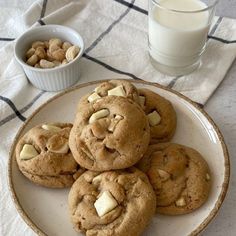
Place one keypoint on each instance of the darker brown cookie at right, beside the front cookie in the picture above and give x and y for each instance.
(179, 175)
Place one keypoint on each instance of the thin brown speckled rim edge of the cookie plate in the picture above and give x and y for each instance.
(196, 231)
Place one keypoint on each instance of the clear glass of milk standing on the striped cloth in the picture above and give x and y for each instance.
(178, 33)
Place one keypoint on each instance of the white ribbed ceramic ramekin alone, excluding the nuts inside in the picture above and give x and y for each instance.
(57, 78)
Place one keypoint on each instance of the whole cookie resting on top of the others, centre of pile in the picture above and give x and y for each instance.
(112, 133)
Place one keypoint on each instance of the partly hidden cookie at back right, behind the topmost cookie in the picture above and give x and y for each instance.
(161, 115)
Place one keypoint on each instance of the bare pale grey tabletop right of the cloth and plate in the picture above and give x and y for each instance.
(222, 108)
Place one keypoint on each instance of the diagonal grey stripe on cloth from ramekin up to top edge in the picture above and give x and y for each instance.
(100, 37)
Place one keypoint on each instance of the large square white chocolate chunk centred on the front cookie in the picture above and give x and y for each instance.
(105, 203)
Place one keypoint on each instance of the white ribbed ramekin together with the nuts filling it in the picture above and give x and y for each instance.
(50, 56)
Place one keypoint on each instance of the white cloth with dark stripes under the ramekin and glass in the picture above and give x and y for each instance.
(115, 35)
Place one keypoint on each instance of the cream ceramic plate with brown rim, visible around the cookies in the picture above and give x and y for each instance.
(45, 210)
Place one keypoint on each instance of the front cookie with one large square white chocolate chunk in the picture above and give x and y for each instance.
(118, 203)
